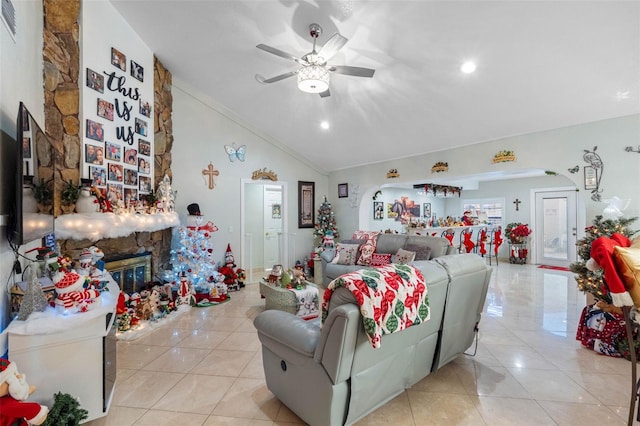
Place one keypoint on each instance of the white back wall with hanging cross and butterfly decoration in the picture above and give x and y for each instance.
(201, 130)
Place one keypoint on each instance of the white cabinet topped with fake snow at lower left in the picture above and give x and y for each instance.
(74, 354)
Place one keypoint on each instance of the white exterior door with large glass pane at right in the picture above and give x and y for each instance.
(556, 227)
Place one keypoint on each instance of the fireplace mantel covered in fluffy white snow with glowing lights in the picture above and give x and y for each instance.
(96, 226)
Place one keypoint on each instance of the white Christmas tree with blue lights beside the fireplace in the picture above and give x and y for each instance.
(194, 257)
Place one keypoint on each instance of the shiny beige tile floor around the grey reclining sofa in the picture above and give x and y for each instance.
(204, 367)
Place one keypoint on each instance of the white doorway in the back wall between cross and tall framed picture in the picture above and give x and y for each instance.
(262, 222)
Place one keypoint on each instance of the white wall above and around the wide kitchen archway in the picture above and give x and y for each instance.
(555, 150)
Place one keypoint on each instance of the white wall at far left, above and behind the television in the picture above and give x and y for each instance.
(20, 80)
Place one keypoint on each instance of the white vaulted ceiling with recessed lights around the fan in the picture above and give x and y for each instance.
(540, 65)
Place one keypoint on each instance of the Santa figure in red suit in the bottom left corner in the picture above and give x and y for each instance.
(14, 390)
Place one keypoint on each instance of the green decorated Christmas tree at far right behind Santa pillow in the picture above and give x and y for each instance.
(590, 281)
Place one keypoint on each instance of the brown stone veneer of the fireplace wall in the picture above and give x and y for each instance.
(61, 55)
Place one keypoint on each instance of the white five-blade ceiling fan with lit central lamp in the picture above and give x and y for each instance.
(313, 75)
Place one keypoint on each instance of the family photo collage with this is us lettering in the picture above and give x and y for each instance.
(117, 151)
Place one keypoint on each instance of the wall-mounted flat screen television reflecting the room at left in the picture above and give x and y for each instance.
(33, 165)
